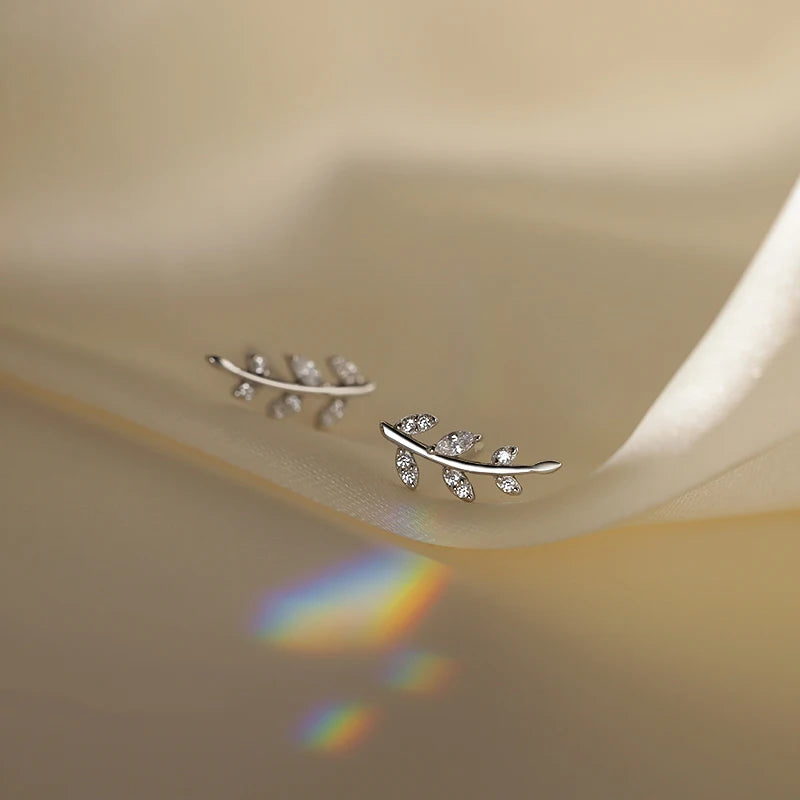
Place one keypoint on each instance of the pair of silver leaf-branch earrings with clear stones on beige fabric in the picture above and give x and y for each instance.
(307, 379)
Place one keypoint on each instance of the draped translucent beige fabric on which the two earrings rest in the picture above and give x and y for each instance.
(523, 220)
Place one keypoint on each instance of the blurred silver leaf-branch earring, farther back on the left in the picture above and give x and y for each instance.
(308, 380)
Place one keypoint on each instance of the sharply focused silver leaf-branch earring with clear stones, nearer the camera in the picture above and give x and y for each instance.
(447, 451)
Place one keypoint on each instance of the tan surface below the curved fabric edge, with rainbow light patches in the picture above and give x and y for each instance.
(658, 661)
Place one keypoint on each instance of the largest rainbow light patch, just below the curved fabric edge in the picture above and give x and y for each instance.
(363, 605)
